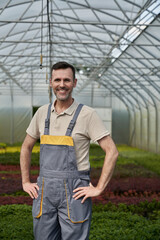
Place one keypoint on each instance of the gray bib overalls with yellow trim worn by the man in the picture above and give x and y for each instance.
(56, 214)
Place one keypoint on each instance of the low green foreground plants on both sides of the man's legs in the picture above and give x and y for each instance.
(109, 222)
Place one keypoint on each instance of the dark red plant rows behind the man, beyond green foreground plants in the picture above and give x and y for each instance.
(129, 190)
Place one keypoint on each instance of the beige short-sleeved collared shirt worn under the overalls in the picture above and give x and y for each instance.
(88, 127)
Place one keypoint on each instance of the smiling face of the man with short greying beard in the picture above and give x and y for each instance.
(63, 83)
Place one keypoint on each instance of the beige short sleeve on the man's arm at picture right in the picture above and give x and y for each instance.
(96, 127)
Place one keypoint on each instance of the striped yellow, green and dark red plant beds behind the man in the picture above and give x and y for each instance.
(135, 179)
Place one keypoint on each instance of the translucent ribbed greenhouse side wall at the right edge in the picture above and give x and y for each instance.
(145, 128)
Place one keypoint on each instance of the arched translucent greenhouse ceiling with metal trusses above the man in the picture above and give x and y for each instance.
(115, 44)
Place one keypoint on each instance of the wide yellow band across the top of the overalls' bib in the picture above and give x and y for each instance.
(57, 140)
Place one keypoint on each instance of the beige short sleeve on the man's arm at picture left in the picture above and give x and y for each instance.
(33, 128)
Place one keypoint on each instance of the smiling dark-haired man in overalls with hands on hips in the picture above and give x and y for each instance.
(62, 194)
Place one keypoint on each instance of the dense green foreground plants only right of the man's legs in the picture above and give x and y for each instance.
(123, 226)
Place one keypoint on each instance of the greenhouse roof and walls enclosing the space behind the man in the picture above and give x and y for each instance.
(115, 48)
